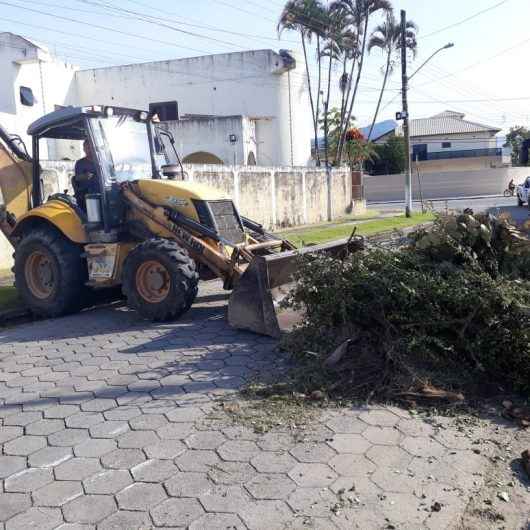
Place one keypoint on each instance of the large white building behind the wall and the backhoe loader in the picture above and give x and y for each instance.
(245, 106)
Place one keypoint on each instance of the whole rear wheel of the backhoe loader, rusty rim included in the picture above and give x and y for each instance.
(50, 273)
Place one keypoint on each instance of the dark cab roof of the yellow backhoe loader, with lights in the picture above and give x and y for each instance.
(68, 122)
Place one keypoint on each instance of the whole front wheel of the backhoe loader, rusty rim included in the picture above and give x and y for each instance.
(160, 280)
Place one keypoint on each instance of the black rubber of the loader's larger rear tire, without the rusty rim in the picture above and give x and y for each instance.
(73, 273)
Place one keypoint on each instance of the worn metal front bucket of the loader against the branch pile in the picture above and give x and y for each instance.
(254, 302)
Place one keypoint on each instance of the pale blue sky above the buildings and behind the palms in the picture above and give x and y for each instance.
(485, 75)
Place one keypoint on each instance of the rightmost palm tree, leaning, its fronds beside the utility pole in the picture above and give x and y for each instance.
(387, 38)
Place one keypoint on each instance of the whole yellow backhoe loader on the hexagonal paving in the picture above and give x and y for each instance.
(141, 226)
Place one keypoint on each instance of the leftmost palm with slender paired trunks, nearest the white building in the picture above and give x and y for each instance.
(307, 17)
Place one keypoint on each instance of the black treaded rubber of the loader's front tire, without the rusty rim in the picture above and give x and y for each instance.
(184, 281)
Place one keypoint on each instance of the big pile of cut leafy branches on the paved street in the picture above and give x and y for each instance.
(447, 314)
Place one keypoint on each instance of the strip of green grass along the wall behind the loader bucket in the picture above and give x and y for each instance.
(322, 234)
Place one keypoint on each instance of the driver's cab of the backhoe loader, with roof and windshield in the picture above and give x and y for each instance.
(124, 146)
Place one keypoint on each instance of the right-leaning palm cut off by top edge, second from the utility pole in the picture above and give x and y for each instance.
(360, 12)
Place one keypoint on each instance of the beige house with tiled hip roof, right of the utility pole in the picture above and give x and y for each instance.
(448, 142)
